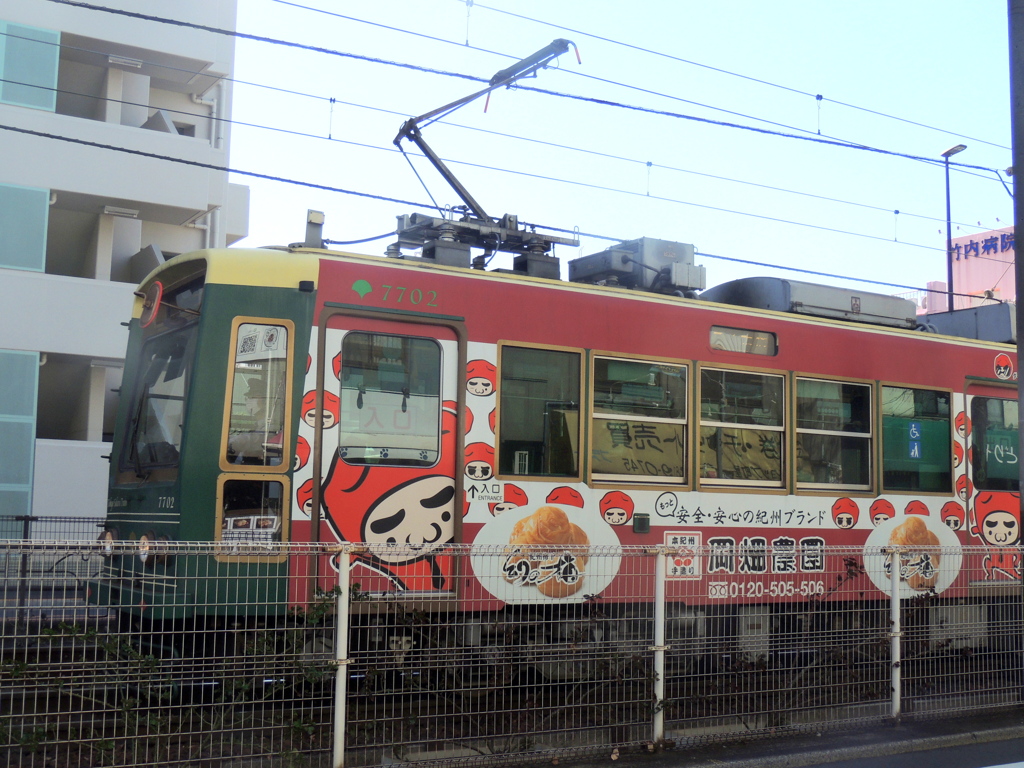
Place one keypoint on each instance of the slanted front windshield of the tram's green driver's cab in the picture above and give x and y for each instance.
(158, 411)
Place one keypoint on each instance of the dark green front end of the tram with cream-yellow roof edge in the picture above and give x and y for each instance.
(205, 429)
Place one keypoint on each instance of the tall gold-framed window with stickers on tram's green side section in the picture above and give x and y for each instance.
(260, 386)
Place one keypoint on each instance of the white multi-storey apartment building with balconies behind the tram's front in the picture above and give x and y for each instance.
(81, 225)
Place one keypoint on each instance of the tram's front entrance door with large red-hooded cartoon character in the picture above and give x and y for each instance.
(392, 480)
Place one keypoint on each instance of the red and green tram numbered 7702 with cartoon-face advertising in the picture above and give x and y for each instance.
(408, 404)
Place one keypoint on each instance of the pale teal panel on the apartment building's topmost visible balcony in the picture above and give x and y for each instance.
(29, 60)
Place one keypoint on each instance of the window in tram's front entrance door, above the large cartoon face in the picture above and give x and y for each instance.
(391, 401)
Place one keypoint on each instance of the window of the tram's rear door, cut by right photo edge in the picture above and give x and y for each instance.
(995, 461)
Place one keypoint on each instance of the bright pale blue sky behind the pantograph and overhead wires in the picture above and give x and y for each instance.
(910, 78)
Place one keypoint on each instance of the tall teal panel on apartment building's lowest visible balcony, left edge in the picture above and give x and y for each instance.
(19, 386)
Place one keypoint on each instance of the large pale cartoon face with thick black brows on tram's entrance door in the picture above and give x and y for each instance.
(412, 521)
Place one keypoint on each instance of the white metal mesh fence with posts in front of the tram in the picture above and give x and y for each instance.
(196, 655)
